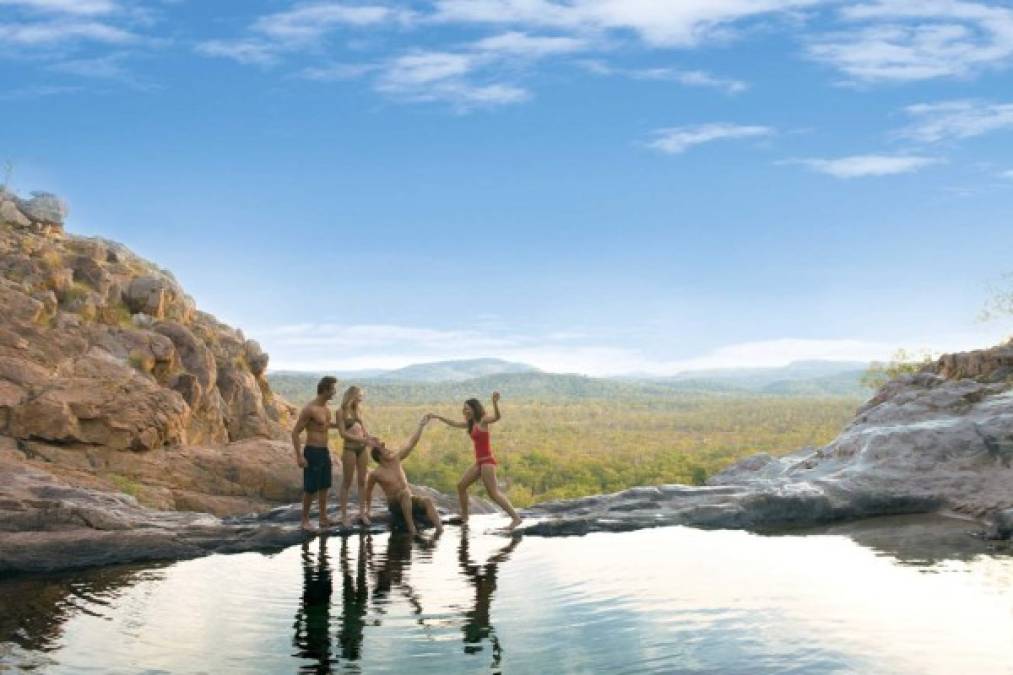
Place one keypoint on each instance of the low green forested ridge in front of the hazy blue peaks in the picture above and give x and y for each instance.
(299, 388)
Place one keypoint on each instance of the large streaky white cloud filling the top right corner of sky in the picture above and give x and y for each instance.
(918, 40)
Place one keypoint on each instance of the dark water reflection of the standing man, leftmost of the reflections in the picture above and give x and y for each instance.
(314, 618)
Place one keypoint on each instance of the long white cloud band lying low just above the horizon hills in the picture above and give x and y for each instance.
(316, 347)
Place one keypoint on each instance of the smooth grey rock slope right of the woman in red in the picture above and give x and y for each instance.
(939, 440)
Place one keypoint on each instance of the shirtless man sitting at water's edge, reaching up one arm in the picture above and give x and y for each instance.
(405, 507)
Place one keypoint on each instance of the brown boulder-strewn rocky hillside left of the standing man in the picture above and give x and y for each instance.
(112, 379)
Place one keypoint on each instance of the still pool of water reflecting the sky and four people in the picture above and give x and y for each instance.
(898, 595)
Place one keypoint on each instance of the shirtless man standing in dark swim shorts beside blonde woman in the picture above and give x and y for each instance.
(316, 458)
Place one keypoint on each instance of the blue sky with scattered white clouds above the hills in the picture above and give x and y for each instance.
(602, 187)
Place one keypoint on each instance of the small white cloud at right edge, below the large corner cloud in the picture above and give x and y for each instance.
(957, 120)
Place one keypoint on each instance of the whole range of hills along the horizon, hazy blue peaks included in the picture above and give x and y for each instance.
(454, 381)
